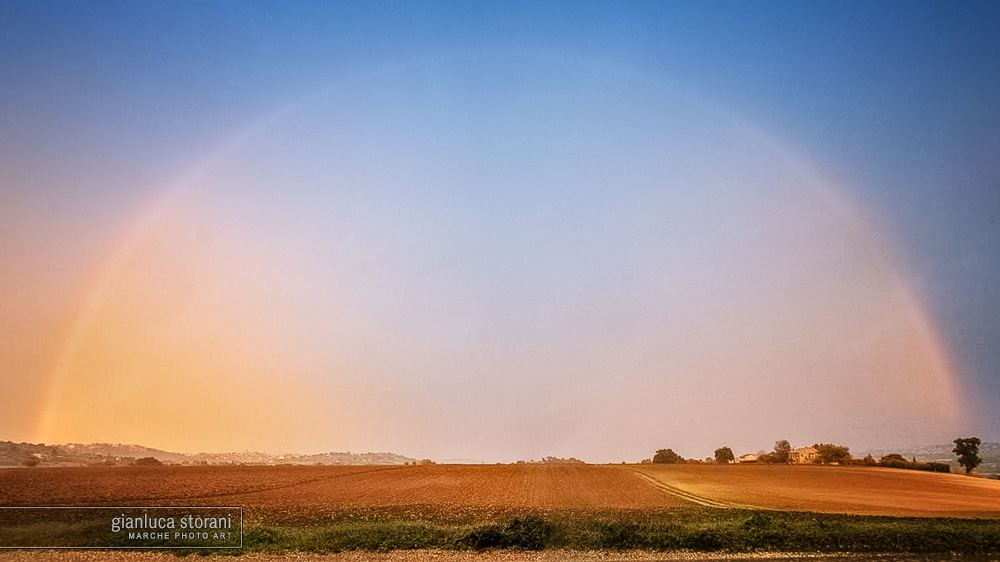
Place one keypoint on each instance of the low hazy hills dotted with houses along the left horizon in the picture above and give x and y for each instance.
(107, 454)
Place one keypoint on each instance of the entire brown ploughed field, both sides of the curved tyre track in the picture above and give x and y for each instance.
(480, 490)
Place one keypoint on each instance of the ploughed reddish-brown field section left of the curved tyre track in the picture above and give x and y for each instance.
(288, 489)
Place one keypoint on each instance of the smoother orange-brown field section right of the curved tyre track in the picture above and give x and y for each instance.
(835, 489)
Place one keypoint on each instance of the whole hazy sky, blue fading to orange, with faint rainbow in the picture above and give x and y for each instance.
(499, 231)
